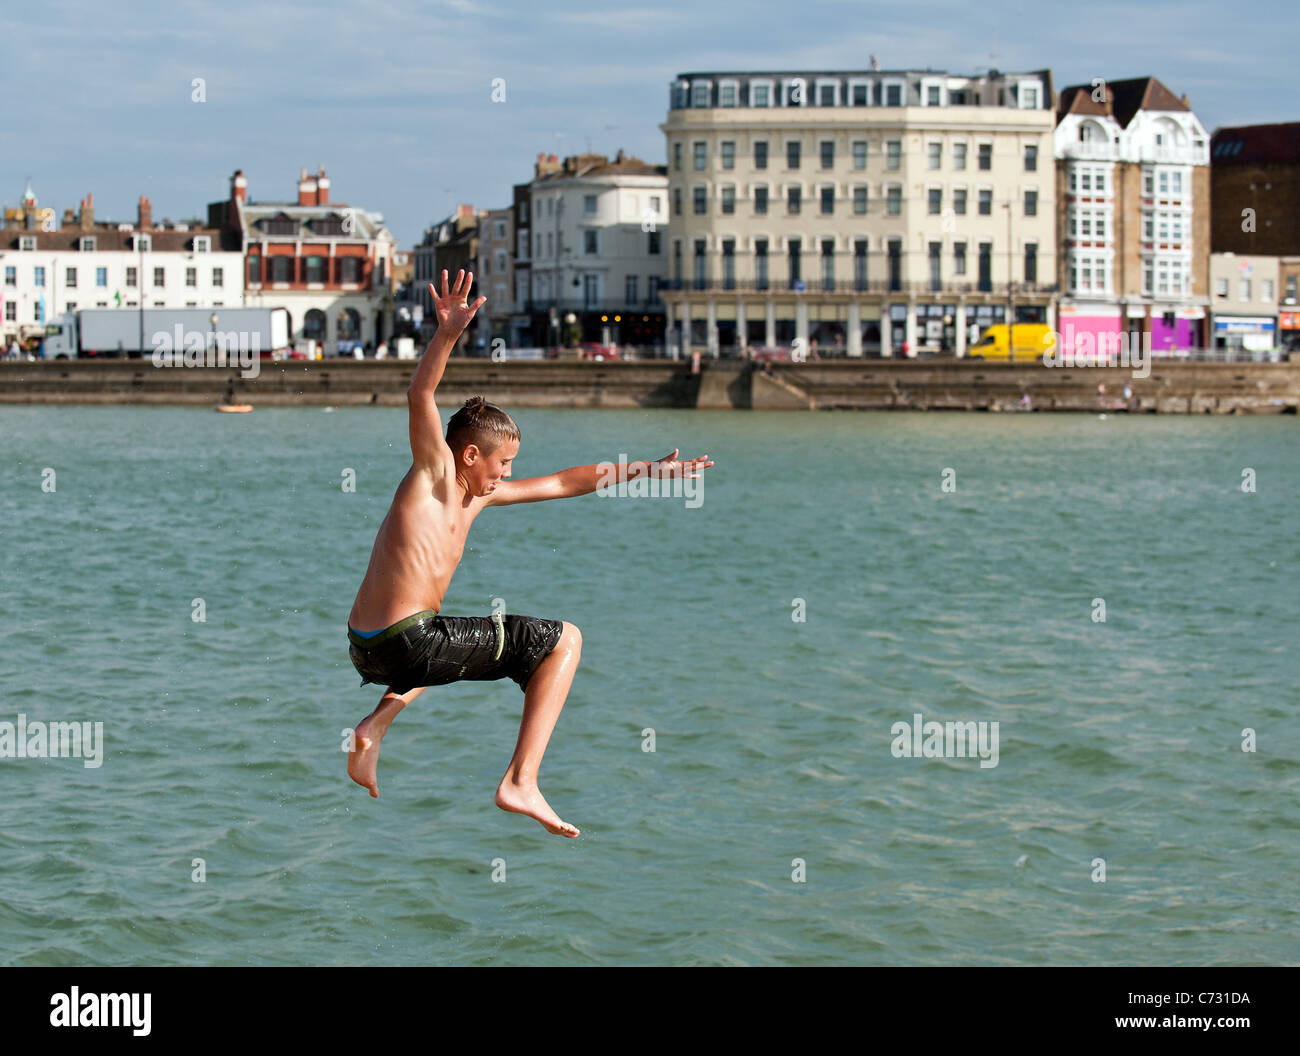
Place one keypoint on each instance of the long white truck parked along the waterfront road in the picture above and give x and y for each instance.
(118, 332)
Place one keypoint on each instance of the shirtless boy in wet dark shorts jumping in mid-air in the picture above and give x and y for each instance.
(398, 638)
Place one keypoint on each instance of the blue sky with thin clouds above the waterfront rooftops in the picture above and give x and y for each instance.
(396, 98)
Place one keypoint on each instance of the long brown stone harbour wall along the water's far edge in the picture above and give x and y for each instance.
(866, 384)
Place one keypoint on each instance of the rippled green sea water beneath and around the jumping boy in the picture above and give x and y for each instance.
(769, 639)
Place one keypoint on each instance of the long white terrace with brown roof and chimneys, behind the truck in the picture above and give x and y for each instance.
(47, 271)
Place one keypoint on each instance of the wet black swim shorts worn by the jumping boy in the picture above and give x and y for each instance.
(430, 650)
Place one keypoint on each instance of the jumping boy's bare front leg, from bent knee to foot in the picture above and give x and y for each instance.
(544, 698)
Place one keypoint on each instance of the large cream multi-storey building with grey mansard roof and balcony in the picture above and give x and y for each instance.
(859, 211)
